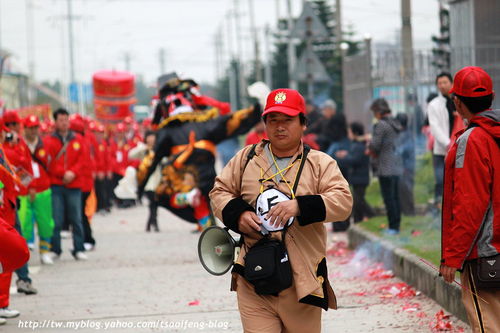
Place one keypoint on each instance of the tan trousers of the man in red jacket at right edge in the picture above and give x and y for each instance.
(483, 312)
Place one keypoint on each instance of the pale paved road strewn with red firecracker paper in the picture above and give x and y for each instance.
(138, 278)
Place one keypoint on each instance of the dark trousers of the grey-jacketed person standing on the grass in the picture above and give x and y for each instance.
(390, 193)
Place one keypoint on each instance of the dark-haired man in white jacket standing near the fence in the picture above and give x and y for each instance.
(440, 114)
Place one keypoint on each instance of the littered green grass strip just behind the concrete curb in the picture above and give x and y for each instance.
(420, 235)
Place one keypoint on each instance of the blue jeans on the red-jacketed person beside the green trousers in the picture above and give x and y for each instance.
(67, 202)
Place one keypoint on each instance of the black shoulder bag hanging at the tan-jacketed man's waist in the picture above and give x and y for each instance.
(267, 266)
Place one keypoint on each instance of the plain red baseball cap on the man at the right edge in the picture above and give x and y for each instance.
(472, 81)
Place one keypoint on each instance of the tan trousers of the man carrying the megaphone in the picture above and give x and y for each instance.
(273, 314)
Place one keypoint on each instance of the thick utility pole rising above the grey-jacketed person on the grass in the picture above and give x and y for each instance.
(407, 45)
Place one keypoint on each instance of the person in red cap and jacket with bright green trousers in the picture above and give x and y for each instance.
(37, 204)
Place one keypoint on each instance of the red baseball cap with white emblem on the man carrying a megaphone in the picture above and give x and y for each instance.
(287, 101)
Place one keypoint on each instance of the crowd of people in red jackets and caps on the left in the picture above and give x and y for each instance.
(55, 175)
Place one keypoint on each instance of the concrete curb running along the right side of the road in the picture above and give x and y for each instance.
(409, 268)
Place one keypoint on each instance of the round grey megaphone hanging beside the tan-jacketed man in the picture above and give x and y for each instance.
(217, 250)
